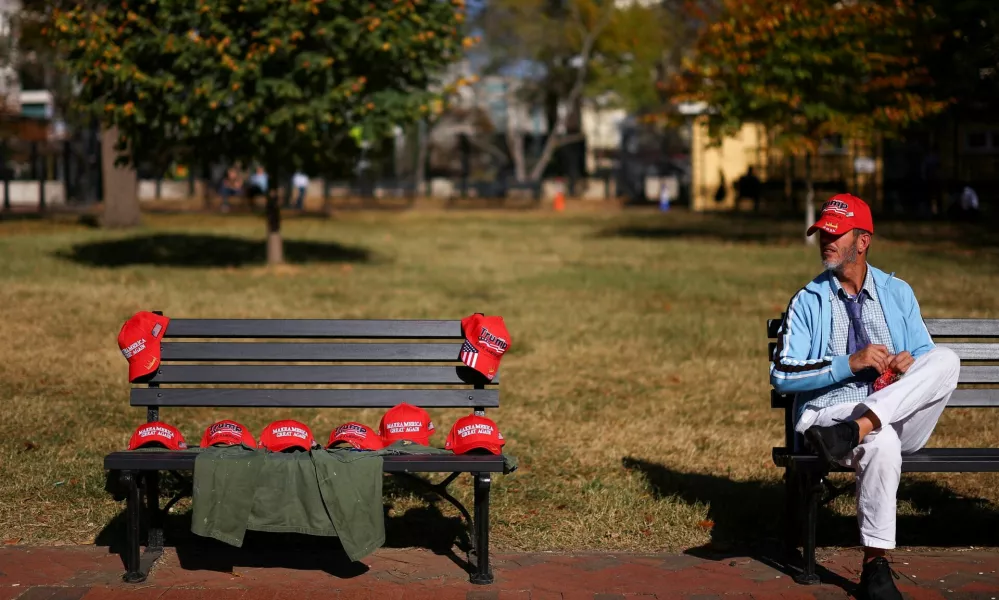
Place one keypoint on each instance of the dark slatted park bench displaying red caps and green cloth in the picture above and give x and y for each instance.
(380, 349)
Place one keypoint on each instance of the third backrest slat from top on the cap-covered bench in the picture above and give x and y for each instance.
(292, 374)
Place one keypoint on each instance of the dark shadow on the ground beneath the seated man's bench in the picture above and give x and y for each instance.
(747, 517)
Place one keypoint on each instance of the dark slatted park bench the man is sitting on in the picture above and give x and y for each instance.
(806, 476)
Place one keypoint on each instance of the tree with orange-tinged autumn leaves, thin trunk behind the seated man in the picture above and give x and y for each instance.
(808, 69)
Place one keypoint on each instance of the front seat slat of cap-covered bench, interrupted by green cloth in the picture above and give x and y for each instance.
(444, 463)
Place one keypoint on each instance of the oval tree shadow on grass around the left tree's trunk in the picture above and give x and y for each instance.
(203, 250)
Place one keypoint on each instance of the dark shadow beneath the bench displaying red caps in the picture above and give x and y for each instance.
(420, 527)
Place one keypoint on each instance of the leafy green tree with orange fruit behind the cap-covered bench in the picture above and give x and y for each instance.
(279, 83)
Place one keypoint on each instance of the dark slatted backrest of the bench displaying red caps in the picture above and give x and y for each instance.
(313, 363)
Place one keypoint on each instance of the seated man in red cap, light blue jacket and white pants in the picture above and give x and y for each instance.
(847, 333)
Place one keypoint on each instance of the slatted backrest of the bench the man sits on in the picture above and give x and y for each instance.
(976, 341)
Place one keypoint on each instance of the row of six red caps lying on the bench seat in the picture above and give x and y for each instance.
(401, 422)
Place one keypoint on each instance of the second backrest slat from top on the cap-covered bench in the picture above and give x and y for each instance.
(305, 352)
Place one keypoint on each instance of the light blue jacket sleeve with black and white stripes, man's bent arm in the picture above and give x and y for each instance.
(792, 370)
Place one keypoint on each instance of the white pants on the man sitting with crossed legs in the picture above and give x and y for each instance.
(912, 406)
